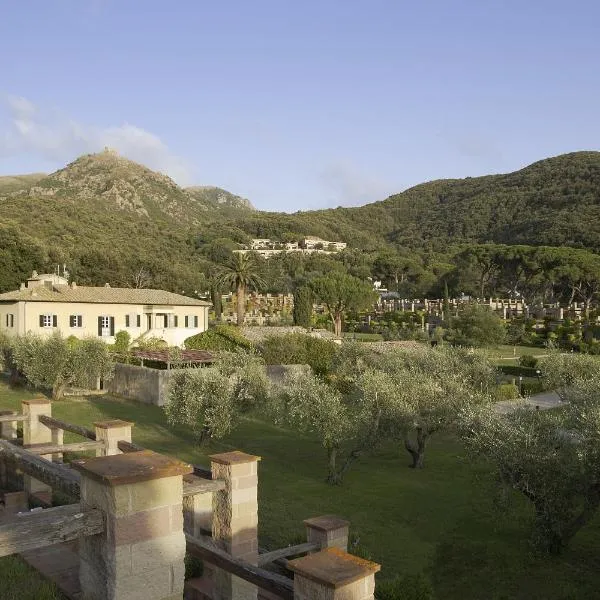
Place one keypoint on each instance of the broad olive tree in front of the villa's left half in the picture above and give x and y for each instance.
(57, 363)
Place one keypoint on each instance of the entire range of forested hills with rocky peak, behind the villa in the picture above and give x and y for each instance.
(112, 220)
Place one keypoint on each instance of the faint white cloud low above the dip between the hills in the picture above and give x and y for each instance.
(349, 186)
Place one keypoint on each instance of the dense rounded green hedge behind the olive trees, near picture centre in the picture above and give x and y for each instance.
(299, 349)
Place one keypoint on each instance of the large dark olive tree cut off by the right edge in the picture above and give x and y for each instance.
(552, 458)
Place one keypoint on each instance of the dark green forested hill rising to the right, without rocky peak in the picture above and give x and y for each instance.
(554, 202)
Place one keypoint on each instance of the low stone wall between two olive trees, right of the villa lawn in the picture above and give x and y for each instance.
(140, 383)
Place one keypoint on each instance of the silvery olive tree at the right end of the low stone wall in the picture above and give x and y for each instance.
(211, 400)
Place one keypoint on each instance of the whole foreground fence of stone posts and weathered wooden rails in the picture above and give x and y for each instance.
(136, 514)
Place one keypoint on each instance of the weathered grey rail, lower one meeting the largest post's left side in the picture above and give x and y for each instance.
(47, 527)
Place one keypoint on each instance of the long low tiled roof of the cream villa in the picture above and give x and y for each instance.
(100, 295)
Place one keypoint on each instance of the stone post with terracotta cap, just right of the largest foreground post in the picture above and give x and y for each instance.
(235, 519)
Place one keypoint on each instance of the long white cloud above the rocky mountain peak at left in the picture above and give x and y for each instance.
(54, 137)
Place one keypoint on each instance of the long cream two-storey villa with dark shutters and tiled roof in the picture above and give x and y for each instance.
(48, 303)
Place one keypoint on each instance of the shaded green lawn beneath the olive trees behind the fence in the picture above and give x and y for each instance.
(443, 521)
